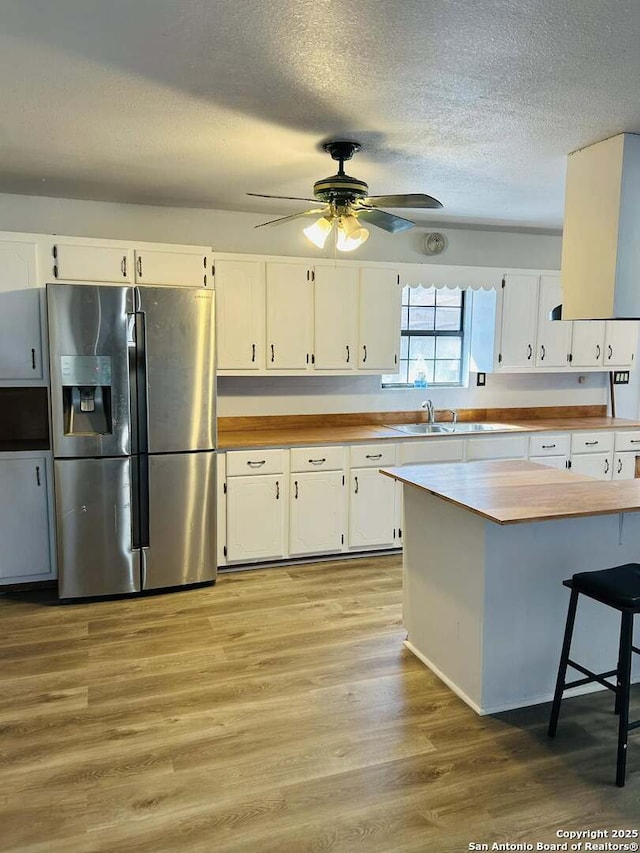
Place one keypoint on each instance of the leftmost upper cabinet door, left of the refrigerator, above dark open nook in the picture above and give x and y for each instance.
(20, 300)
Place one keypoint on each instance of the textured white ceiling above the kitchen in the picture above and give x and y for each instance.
(196, 102)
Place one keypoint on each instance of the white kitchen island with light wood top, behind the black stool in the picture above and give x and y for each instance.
(486, 548)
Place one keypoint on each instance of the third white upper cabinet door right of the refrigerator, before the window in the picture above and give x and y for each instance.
(335, 318)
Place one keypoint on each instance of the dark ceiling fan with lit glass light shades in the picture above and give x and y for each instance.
(347, 203)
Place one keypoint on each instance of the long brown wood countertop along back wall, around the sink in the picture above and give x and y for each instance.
(300, 430)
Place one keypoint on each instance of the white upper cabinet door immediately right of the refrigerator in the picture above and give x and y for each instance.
(240, 314)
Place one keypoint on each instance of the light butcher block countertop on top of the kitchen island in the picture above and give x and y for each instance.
(513, 492)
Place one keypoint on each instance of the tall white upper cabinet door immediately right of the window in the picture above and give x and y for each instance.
(518, 321)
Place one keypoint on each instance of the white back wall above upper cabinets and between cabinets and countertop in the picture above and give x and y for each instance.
(234, 232)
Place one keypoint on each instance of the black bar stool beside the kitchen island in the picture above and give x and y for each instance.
(618, 588)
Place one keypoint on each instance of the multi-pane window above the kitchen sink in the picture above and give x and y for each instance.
(432, 337)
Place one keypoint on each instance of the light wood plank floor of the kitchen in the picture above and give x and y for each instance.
(276, 711)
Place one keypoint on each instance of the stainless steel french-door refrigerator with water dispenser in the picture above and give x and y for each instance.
(133, 430)
